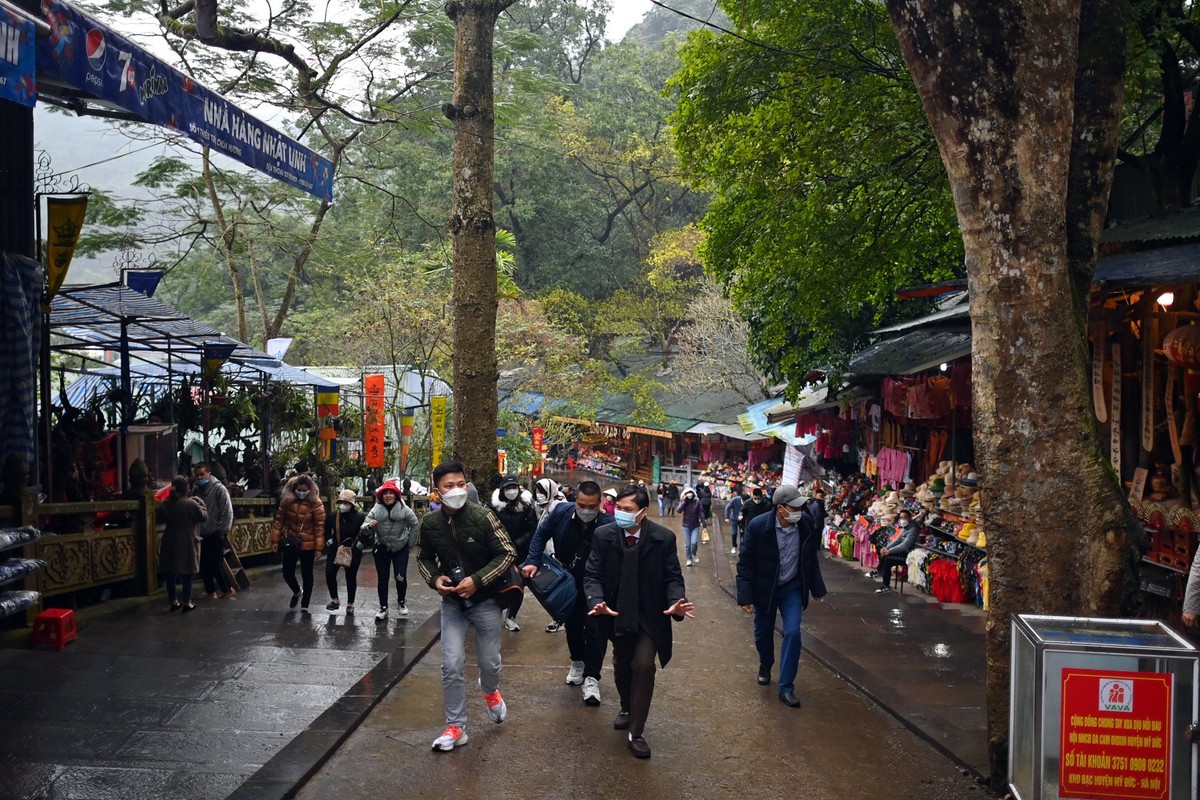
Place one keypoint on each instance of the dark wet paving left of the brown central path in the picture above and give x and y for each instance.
(155, 705)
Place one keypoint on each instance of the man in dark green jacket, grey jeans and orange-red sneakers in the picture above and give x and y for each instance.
(464, 551)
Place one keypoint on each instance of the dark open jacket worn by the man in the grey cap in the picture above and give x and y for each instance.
(759, 563)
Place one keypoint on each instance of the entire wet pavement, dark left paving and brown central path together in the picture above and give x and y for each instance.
(249, 700)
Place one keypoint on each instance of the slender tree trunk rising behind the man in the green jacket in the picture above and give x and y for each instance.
(475, 300)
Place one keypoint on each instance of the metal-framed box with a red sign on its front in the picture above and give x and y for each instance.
(1102, 708)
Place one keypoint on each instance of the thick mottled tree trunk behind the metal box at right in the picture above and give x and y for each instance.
(1024, 100)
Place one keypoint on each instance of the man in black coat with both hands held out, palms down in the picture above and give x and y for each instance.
(635, 586)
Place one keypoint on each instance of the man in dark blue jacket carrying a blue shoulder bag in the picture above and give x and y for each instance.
(571, 526)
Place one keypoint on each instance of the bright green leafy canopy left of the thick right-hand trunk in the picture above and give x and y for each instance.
(830, 193)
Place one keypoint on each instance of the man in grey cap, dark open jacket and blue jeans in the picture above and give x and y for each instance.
(779, 570)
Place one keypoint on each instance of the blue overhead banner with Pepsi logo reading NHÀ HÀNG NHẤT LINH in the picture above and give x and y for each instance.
(86, 55)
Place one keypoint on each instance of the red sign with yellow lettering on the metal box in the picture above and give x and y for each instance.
(1117, 735)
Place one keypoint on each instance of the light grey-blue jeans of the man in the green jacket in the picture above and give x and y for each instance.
(487, 619)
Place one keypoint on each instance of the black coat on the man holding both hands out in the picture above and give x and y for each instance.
(661, 580)
